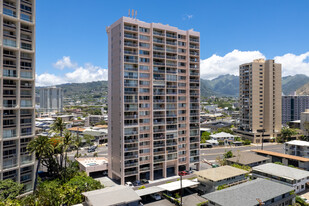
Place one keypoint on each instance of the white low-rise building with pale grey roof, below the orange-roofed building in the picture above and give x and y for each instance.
(290, 176)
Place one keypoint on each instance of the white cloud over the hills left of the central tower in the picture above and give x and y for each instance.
(80, 74)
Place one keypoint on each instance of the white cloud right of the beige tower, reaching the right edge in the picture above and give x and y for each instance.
(294, 64)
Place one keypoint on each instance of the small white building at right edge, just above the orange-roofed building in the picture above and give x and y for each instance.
(297, 147)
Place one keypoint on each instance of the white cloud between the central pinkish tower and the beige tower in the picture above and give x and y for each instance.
(215, 65)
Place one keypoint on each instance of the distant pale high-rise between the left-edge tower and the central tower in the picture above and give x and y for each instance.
(51, 99)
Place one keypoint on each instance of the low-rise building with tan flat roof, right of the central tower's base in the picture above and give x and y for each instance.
(210, 179)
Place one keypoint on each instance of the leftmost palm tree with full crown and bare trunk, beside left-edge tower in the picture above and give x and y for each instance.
(42, 147)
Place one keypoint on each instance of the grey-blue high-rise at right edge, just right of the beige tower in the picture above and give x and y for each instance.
(293, 106)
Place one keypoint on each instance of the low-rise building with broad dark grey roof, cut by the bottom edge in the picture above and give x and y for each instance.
(253, 193)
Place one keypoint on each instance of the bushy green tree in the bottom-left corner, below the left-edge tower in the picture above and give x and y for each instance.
(9, 190)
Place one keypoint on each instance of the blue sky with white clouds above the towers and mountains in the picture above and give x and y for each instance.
(72, 32)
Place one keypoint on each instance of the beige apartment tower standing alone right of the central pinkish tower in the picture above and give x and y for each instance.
(260, 100)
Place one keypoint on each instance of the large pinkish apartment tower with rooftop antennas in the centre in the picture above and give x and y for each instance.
(154, 89)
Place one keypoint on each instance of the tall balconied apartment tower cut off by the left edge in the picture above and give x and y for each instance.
(17, 73)
